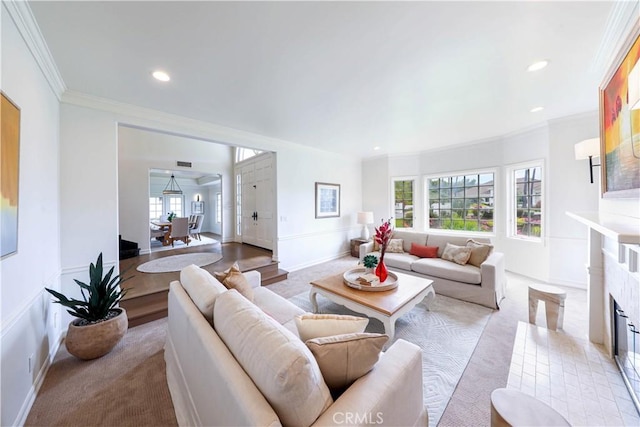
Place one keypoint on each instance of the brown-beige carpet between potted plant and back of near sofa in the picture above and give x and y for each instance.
(127, 387)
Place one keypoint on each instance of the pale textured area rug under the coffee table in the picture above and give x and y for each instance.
(447, 334)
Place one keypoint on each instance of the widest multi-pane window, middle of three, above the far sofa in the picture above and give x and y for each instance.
(461, 202)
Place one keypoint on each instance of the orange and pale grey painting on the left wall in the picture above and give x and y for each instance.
(9, 174)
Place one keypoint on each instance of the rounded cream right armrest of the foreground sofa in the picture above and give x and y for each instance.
(391, 394)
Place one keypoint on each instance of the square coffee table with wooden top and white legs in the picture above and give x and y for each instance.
(386, 306)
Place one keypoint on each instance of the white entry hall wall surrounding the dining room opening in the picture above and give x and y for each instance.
(141, 150)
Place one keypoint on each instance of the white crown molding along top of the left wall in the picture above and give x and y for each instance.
(25, 22)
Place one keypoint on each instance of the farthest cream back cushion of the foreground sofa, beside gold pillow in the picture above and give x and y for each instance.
(202, 288)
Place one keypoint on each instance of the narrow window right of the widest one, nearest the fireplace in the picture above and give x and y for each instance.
(526, 201)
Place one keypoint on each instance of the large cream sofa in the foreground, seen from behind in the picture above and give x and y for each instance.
(229, 363)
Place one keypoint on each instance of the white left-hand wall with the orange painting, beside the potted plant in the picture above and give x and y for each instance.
(27, 320)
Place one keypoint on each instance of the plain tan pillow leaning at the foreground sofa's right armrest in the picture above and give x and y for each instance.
(345, 358)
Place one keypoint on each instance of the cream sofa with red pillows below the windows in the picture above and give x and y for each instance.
(482, 285)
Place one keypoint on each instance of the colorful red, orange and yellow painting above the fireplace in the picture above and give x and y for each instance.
(620, 123)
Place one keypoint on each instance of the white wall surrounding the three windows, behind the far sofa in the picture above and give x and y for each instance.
(561, 255)
